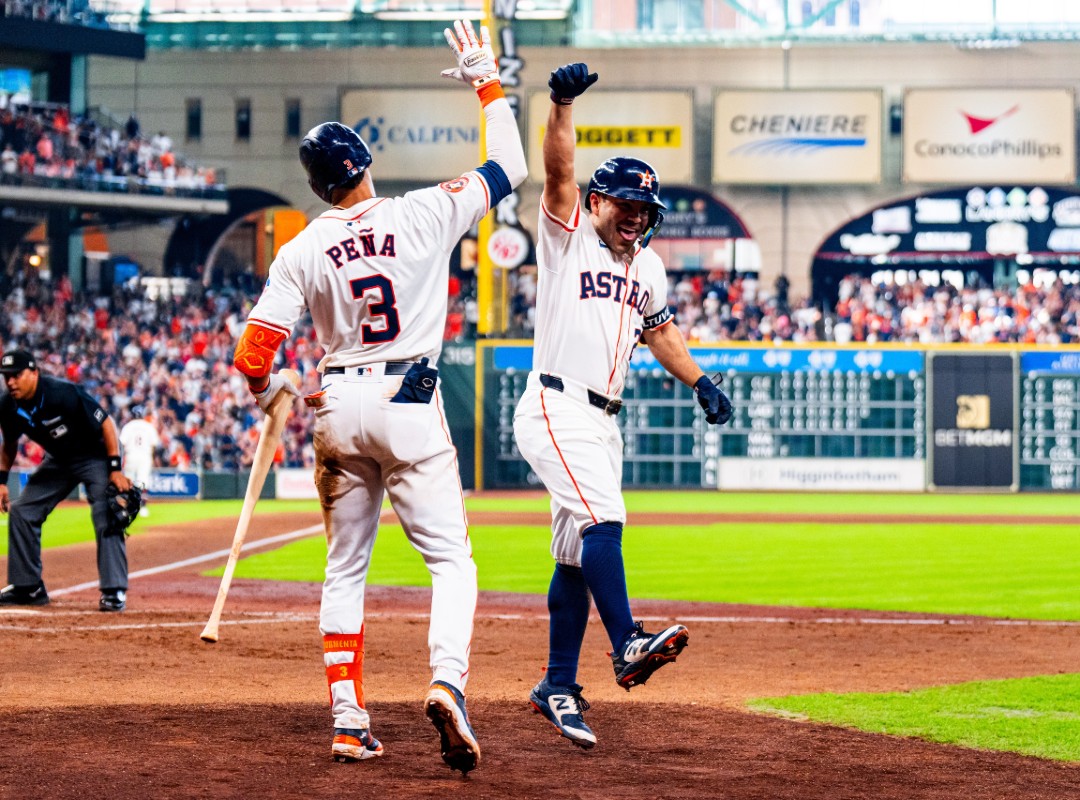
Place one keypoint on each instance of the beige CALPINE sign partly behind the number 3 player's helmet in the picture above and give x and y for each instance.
(434, 137)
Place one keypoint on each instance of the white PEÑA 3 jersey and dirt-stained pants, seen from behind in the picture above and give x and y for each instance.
(375, 280)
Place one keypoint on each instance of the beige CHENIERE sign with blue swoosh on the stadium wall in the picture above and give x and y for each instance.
(798, 138)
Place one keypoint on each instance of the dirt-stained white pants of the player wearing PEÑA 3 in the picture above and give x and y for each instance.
(367, 445)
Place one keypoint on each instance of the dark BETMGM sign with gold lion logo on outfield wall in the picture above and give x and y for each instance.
(973, 423)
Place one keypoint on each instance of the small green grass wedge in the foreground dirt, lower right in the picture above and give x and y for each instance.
(1038, 716)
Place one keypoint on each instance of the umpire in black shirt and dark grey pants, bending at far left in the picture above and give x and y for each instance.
(83, 448)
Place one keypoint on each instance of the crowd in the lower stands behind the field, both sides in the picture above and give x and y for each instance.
(172, 357)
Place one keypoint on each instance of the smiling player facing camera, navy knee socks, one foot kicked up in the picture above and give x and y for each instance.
(600, 292)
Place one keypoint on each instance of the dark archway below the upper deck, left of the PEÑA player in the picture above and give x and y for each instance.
(222, 250)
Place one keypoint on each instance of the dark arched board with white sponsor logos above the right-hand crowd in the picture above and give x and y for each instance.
(994, 236)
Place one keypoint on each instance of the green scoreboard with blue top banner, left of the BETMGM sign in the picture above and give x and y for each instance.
(790, 403)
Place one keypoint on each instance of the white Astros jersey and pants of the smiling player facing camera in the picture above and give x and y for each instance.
(591, 310)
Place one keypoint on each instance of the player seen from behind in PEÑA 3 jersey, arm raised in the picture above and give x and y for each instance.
(373, 272)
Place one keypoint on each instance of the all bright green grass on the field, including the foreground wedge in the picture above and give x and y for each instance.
(1002, 570)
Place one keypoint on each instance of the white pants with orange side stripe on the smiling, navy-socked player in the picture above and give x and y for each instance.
(577, 452)
